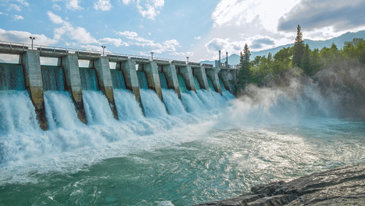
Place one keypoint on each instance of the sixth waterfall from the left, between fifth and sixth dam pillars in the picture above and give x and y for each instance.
(172, 102)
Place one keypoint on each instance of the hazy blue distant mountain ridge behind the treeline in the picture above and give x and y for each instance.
(234, 59)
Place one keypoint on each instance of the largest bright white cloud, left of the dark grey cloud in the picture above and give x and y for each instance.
(236, 22)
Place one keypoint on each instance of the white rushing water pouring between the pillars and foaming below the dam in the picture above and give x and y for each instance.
(68, 144)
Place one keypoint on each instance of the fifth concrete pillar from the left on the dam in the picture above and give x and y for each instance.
(153, 79)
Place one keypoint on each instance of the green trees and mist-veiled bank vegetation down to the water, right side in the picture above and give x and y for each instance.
(339, 73)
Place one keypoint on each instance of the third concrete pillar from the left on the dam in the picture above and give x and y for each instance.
(105, 81)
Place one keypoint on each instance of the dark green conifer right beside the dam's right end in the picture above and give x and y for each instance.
(244, 69)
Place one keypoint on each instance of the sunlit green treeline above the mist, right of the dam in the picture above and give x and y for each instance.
(297, 60)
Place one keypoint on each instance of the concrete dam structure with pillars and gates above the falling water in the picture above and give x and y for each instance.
(130, 72)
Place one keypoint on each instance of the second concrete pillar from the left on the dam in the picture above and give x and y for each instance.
(70, 65)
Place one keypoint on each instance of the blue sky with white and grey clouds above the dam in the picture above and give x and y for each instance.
(175, 29)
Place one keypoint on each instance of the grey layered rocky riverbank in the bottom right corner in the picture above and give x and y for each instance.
(342, 186)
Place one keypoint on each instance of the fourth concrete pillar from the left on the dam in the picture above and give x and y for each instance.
(130, 75)
